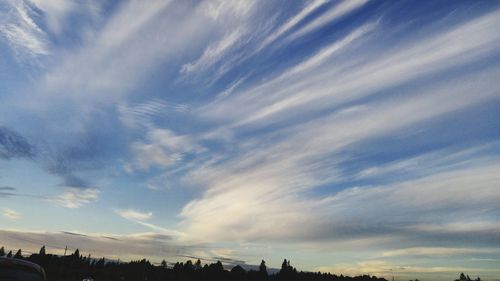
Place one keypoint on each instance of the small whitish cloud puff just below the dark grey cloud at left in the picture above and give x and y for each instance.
(74, 197)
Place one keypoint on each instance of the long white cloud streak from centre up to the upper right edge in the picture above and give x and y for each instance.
(354, 78)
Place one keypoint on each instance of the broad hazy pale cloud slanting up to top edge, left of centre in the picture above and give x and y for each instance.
(116, 57)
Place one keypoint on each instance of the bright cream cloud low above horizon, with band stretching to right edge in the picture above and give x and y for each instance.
(275, 210)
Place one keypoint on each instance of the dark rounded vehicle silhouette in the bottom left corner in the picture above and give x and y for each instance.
(19, 270)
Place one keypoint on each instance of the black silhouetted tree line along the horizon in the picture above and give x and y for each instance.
(77, 267)
